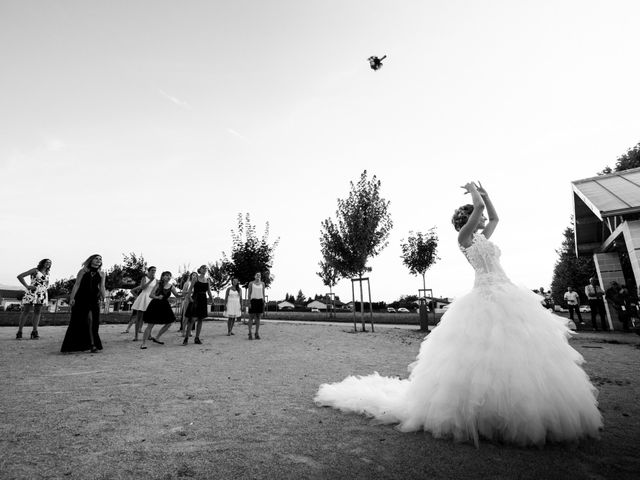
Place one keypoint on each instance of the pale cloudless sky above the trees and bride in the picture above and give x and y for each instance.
(148, 126)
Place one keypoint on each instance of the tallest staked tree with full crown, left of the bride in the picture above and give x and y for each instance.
(361, 232)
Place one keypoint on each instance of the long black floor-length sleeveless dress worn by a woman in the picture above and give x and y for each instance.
(87, 300)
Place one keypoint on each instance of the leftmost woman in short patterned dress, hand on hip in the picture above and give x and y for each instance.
(35, 297)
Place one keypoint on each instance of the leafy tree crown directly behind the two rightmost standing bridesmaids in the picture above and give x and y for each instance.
(249, 254)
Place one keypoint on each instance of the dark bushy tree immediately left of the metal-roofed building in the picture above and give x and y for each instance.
(570, 270)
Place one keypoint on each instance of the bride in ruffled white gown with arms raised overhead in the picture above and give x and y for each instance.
(497, 366)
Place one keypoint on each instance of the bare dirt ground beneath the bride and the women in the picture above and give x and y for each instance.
(233, 408)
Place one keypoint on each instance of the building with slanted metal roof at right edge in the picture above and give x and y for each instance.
(607, 226)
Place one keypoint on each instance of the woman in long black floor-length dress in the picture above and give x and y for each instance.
(82, 333)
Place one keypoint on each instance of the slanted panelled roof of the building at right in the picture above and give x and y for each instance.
(596, 199)
